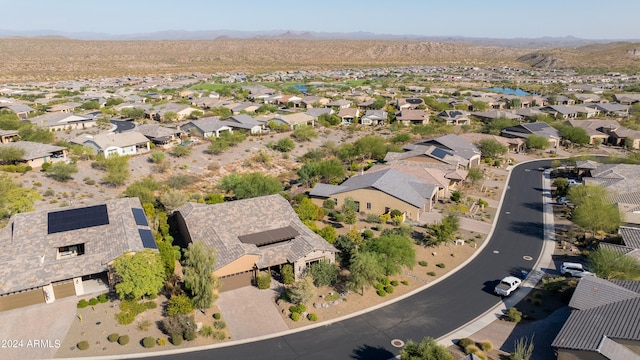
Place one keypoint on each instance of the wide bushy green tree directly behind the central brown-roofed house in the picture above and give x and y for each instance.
(245, 186)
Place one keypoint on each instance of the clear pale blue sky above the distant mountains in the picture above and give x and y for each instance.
(590, 19)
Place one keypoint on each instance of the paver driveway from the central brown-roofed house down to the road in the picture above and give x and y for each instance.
(250, 312)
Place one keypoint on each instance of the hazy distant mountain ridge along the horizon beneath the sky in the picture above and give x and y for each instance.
(541, 42)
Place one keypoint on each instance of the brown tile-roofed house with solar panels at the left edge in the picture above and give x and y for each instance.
(51, 254)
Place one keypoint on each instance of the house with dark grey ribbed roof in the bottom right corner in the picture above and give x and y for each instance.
(604, 322)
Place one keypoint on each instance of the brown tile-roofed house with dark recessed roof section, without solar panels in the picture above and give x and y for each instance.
(251, 235)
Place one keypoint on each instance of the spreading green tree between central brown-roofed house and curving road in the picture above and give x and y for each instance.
(395, 251)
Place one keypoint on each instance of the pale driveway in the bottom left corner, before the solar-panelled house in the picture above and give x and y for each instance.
(36, 332)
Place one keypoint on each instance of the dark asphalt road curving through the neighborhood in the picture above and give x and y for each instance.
(434, 312)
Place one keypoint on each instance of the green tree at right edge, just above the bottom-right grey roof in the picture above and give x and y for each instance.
(611, 264)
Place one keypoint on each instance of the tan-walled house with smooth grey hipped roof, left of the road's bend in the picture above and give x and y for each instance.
(379, 192)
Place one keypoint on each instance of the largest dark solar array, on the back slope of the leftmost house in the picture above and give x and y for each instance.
(75, 219)
